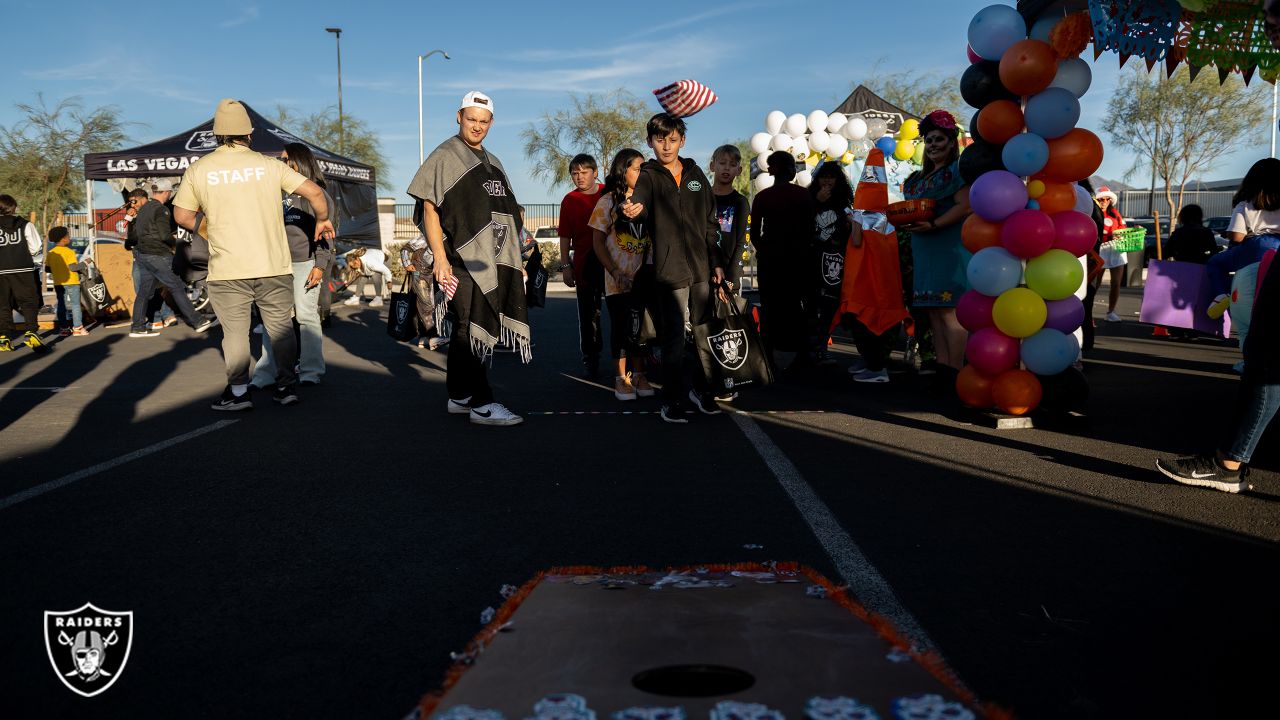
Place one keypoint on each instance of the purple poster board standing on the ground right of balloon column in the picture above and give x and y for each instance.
(1177, 297)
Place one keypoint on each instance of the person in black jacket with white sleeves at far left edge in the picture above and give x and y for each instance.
(21, 254)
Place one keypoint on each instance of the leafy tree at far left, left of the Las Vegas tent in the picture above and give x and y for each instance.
(43, 156)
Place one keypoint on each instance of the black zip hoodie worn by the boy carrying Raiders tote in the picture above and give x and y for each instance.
(682, 222)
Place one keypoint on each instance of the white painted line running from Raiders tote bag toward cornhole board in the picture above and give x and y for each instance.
(868, 586)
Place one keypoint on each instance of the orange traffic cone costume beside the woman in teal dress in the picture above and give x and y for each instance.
(874, 281)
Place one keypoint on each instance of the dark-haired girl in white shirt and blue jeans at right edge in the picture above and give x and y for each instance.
(1254, 230)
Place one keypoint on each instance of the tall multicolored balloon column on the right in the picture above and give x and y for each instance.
(1030, 225)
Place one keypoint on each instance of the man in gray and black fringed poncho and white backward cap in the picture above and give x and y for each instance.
(469, 216)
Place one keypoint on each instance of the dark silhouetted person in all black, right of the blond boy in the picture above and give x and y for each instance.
(783, 218)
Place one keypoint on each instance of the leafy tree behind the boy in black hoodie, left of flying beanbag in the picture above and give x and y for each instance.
(600, 125)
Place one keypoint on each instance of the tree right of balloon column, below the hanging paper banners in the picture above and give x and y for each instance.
(1180, 127)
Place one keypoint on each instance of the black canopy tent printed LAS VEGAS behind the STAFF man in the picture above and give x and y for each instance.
(350, 184)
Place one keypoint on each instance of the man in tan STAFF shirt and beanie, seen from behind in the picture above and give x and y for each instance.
(249, 256)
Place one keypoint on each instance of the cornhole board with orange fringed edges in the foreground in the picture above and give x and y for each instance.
(721, 642)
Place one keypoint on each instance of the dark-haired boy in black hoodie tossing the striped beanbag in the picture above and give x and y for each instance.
(675, 198)
